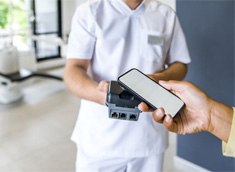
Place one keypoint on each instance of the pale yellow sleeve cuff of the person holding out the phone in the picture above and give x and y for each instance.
(229, 147)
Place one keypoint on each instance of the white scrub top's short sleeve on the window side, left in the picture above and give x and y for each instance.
(81, 38)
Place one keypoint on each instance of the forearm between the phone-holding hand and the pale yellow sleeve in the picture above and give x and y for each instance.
(221, 120)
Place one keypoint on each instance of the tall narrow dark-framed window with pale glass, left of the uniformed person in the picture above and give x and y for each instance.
(47, 27)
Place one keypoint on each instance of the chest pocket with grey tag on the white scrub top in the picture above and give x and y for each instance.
(154, 46)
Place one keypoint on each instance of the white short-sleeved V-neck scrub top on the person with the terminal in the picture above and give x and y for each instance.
(115, 39)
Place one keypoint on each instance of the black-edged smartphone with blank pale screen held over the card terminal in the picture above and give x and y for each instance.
(150, 92)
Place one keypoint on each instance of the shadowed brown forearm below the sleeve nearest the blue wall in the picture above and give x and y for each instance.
(175, 71)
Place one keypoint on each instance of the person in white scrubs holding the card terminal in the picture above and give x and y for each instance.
(109, 37)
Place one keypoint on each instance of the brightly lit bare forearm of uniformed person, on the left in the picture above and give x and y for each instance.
(81, 85)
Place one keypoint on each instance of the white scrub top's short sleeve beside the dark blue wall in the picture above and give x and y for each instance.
(178, 50)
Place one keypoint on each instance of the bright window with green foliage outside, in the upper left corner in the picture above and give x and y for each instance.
(13, 23)
